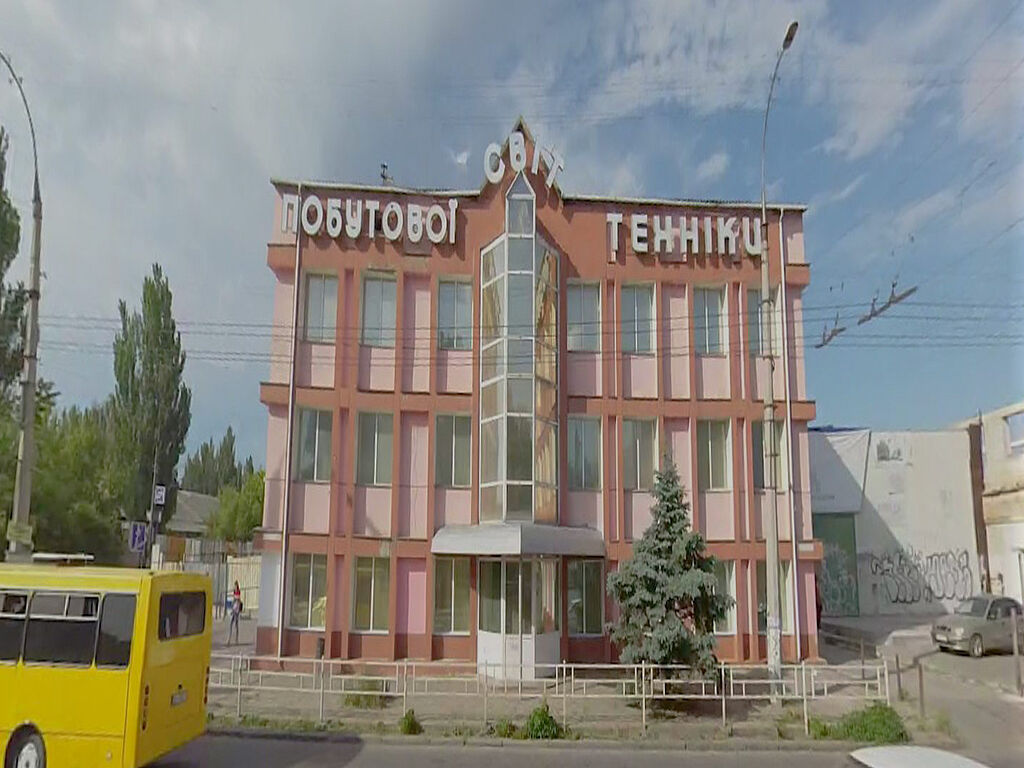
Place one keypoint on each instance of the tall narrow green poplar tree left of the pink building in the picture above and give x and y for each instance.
(152, 402)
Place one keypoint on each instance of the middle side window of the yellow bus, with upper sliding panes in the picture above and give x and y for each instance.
(55, 637)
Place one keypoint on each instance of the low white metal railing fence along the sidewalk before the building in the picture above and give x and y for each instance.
(565, 686)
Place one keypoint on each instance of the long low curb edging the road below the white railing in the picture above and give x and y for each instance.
(724, 746)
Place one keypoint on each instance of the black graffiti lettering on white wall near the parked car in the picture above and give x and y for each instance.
(909, 577)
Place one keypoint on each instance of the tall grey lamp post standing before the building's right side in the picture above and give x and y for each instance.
(774, 633)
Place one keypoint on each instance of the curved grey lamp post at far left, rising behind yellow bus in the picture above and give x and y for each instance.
(19, 549)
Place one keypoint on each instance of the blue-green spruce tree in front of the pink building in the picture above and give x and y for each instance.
(666, 592)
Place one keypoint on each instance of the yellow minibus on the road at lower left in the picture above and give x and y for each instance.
(101, 667)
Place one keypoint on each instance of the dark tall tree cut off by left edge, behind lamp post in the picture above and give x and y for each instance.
(13, 297)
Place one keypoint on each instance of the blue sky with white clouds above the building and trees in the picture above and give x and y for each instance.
(900, 124)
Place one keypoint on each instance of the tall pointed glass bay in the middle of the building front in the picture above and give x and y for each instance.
(520, 370)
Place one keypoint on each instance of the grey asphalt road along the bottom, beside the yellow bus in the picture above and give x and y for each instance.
(224, 752)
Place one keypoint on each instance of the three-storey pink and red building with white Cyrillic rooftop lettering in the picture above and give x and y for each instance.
(478, 388)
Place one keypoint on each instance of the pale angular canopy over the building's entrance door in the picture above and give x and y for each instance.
(518, 539)
